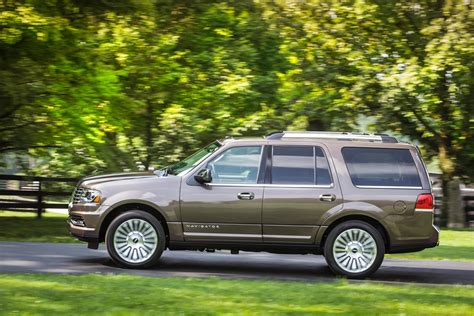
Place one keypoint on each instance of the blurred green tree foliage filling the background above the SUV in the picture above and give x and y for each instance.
(110, 86)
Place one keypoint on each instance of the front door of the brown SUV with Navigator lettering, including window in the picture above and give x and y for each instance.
(230, 207)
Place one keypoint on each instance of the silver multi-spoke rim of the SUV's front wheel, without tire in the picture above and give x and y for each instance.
(135, 240)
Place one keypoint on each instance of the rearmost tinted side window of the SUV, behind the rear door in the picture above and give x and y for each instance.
(381, 167)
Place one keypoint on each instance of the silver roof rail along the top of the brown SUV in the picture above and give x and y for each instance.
(384, 138)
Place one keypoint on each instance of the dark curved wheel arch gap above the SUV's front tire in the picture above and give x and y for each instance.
(116, 211)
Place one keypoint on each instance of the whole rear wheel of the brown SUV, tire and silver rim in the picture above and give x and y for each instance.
(354, 249)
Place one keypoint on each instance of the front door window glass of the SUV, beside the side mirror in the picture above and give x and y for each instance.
(236, 165)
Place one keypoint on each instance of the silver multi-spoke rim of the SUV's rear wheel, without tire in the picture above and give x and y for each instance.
(354, 250)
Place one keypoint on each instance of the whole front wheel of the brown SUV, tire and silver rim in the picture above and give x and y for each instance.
(135, 239)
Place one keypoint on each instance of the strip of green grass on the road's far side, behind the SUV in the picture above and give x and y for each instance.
(454, 244)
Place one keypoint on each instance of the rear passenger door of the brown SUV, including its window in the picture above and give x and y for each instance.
(300, 190)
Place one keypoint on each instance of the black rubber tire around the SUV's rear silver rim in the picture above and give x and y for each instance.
(357, 226)
